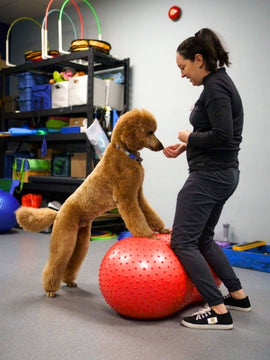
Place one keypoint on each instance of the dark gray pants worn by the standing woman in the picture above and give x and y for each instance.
(199, 205)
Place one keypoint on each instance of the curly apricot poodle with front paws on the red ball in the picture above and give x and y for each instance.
(115, 182)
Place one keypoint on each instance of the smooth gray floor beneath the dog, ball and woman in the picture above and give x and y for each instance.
(78, 324)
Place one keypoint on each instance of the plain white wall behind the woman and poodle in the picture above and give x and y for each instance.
(143, 31)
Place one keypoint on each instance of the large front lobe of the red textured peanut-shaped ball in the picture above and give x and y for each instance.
(142, 278)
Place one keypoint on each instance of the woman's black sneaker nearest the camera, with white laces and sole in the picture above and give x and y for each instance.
(208, 319)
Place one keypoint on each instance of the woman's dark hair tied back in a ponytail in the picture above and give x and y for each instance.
(206, 43)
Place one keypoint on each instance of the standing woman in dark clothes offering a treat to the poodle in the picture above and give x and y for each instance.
(212, 154)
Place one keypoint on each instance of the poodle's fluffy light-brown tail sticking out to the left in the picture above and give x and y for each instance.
(35, 220)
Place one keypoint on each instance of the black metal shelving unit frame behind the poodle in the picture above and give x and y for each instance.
(89, 61)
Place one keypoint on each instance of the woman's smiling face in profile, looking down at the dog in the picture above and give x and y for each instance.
(194, 70)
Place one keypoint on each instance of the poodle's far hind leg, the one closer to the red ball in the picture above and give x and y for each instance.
(81, 248)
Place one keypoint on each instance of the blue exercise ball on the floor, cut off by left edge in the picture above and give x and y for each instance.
(8, 204)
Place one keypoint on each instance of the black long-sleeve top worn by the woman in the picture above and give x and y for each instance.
(217, 120)
